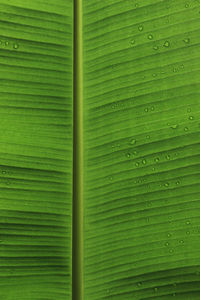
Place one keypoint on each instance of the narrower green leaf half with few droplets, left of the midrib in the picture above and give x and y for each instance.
(35, 149)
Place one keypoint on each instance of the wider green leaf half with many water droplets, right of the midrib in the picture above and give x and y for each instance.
(141, 145)
